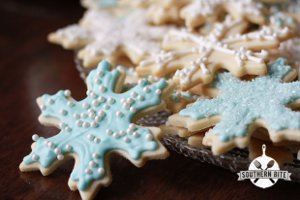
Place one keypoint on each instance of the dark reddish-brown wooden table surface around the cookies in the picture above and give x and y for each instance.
(30, 67)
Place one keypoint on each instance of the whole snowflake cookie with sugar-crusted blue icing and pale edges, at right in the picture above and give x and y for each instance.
(243, 106)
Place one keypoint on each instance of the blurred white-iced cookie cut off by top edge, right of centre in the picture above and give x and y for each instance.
(197, 12)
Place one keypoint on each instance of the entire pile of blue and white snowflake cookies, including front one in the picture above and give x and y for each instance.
(225, 70)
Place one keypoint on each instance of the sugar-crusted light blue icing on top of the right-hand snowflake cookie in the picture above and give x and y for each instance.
(240, 103)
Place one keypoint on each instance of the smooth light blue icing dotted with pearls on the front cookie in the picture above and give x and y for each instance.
(84, 142)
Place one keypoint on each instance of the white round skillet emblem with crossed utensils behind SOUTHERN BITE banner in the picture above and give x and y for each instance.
(265, 164)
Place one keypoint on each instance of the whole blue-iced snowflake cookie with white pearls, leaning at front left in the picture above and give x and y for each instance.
(93, 128)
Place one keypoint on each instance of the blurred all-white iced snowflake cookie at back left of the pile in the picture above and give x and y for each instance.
(102, 35)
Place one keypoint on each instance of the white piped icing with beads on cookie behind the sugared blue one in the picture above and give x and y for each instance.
(204, 46)
